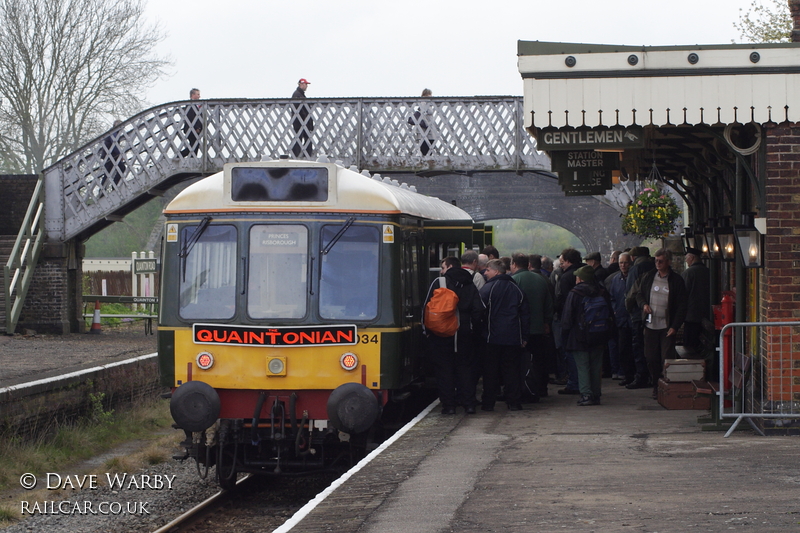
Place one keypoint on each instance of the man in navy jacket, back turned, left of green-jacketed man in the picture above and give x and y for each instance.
(506, 334)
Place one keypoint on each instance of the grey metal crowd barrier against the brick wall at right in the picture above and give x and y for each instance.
(759, 374)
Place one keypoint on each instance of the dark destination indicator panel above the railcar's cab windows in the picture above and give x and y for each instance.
(292, 184)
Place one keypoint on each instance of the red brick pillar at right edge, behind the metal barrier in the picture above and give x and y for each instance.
(781, 277)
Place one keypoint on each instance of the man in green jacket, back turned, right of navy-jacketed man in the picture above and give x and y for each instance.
(540, 300)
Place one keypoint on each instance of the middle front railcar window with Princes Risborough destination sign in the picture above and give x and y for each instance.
(277, 284)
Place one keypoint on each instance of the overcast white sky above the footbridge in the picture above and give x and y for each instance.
(360, 48)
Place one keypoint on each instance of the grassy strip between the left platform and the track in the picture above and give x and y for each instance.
(83, 440)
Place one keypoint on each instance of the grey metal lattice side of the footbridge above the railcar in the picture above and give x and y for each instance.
(436, 135)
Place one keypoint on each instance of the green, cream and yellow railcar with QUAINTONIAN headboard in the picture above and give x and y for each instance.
(291, 296)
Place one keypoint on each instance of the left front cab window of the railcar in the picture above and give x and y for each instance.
(208, 290)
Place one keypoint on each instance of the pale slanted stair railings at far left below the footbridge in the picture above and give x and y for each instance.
(18, 270)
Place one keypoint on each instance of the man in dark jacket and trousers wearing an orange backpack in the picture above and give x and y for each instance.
(454, 358)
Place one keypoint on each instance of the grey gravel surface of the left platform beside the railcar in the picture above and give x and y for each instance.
(31, 357)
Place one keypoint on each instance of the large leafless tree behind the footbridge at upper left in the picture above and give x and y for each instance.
(67, 67)
